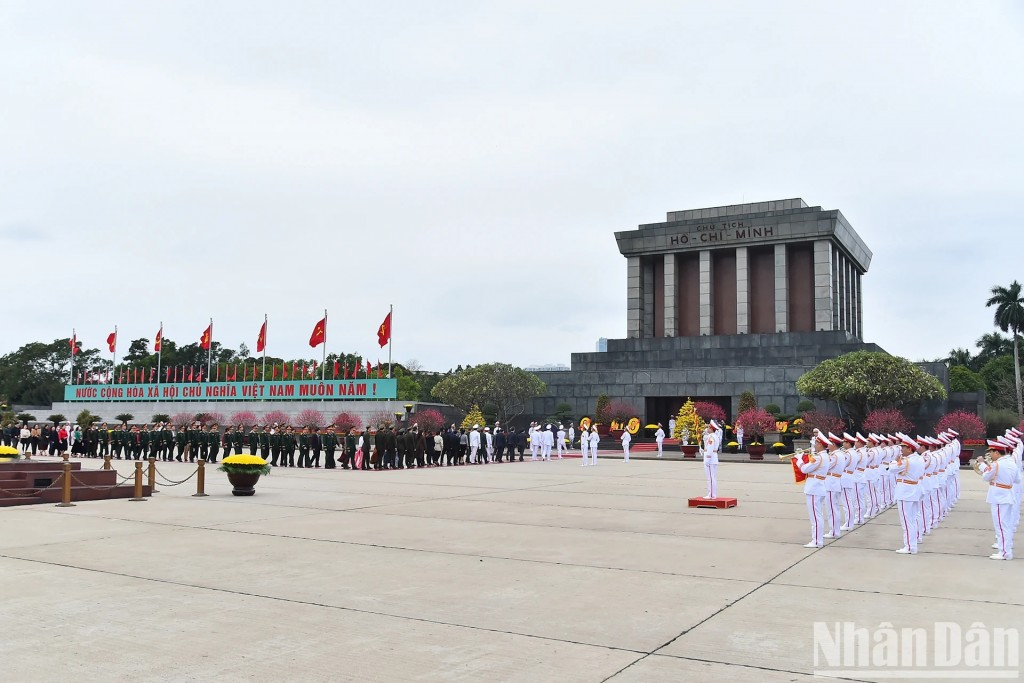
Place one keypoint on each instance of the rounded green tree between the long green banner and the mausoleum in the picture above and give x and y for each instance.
(504, 387)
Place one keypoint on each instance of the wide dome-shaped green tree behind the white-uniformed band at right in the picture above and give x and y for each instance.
(864, 381)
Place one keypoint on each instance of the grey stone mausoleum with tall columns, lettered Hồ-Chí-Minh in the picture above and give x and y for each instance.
(722, 301)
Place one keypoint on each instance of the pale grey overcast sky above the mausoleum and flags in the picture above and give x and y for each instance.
(470, 162)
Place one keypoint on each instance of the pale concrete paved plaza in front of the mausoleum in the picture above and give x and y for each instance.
(529, 572)
